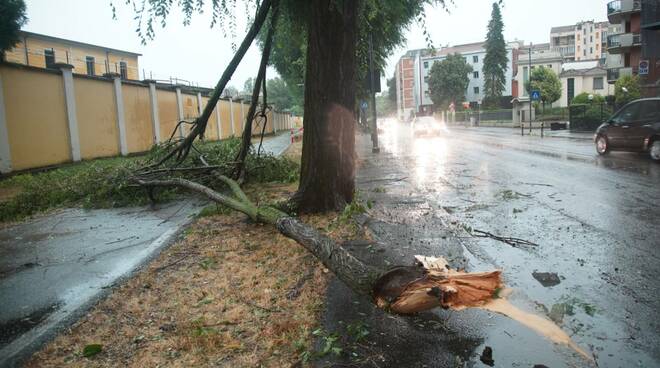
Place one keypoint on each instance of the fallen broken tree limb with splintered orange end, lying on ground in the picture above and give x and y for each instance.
(402, 290)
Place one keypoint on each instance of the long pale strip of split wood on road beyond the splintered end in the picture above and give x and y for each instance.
(534, 322)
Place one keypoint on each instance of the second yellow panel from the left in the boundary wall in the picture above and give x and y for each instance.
(97, 118)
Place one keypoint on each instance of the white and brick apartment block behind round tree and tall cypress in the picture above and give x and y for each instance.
(413, 69)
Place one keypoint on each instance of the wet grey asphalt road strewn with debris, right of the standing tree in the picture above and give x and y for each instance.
(594, 220)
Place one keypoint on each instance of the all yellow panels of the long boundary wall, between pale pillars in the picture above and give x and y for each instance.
(36, 115)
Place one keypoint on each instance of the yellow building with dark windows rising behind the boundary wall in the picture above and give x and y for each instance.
(44, 51)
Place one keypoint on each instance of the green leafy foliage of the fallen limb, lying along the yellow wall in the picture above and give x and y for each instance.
(104, 183)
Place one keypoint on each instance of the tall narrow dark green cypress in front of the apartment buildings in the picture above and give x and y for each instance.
(495, 62)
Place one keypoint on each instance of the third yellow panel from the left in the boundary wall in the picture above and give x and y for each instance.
(137, 115)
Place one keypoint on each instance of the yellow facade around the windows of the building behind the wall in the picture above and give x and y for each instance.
(76, 56)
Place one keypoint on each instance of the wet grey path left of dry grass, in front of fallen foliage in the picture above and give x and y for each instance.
(53, 268)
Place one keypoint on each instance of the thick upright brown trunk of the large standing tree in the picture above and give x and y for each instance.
(327, 180)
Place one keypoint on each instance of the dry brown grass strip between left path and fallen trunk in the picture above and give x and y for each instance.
(229, 293)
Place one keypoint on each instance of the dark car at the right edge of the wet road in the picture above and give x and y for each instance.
(635, 127)
